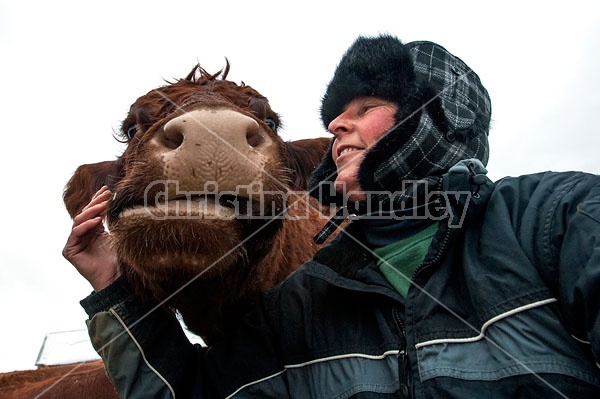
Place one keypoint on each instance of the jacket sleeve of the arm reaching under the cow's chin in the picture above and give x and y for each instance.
(147, 355)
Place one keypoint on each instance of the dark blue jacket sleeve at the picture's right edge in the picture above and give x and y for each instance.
(569, 250)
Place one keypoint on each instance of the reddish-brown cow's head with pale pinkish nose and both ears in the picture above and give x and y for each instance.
(206, 209)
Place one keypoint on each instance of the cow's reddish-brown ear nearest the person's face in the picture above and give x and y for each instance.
(303, 157)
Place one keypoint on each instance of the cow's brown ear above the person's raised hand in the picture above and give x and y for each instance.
(88, 179)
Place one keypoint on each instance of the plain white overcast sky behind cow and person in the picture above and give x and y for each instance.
(70, 70)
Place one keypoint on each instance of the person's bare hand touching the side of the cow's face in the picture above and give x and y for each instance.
(89, 247)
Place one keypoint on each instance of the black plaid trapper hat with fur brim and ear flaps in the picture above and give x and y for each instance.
(443, 114)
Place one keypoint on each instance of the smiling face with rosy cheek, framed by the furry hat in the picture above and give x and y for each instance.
(355, 130)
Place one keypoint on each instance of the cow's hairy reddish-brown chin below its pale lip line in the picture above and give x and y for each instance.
(163, 254)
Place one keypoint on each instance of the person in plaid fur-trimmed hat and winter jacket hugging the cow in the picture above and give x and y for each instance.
(443, 285)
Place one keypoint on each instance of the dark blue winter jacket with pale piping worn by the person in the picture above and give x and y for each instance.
(505, 305)
